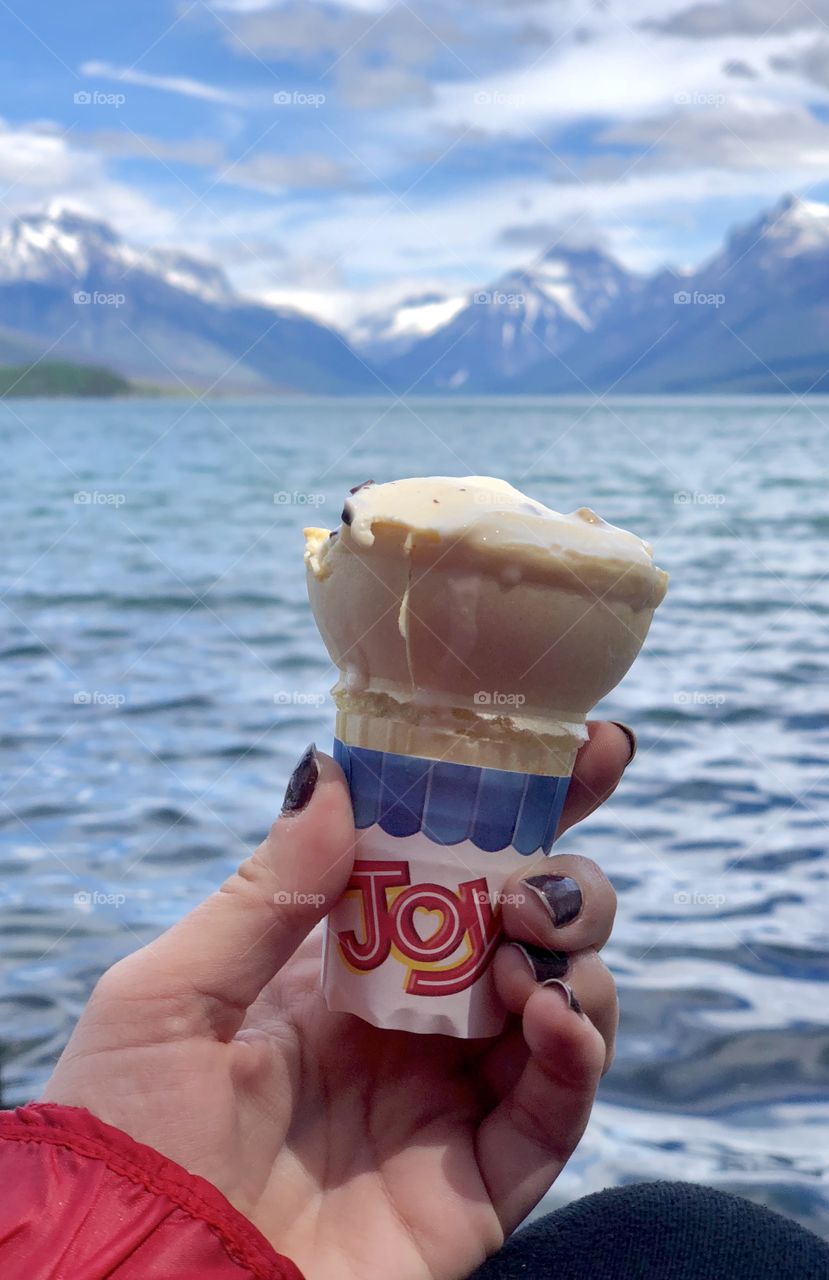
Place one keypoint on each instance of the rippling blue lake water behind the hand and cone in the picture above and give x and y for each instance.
(161, 673)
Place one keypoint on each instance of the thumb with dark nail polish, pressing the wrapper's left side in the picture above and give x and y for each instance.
(213, 964)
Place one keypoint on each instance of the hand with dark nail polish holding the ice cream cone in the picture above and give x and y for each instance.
(355, 1151)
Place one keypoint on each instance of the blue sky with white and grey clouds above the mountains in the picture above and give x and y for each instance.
(343, 157)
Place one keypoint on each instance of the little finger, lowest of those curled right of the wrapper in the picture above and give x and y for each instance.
(525, 1142)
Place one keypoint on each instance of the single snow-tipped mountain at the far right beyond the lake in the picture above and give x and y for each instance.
(754, 318)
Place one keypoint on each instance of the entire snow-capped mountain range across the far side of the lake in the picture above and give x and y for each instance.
(755, 318)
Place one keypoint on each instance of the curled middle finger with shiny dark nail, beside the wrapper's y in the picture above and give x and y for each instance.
(565, 903)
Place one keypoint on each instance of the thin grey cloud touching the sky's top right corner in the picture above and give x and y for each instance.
(741, 19)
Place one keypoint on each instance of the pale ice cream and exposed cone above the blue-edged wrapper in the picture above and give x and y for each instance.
(473, 623)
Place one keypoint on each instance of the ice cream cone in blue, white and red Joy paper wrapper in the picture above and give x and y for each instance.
(474, 630)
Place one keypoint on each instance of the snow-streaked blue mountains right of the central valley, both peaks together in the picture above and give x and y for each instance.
(755, 318)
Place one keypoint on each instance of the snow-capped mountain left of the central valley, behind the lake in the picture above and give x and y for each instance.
(71, 287)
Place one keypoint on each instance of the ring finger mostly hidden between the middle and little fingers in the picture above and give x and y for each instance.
(520, 970)
